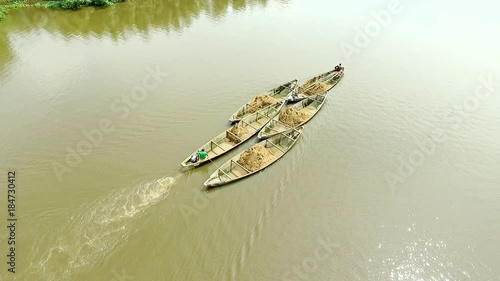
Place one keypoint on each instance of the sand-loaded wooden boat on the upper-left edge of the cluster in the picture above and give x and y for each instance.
(278, 94)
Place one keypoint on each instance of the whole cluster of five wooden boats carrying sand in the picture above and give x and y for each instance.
(276, 134)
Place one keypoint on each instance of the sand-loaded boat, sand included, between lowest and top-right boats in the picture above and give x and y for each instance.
(292, 116)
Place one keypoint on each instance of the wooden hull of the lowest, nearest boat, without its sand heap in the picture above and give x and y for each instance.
(276, 147)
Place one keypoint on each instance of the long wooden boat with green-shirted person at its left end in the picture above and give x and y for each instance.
(229, 139)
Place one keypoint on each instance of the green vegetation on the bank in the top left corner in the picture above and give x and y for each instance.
(7, 5)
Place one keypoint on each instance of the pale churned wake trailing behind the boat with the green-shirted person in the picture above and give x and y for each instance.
(94, 231)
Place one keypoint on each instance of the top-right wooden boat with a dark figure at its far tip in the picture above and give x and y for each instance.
(319, 84)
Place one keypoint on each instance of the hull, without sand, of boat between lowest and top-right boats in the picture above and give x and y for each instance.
(309, 107)
